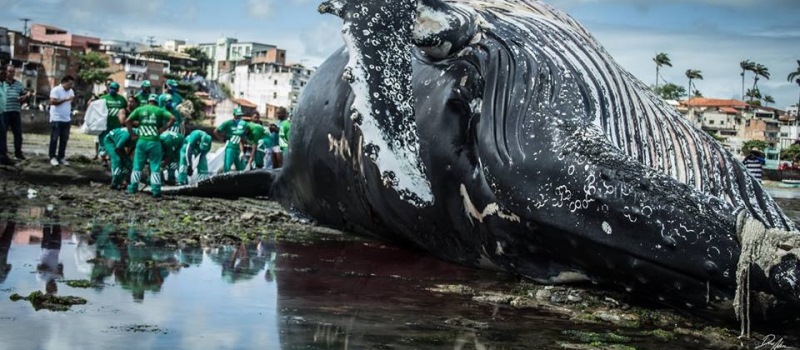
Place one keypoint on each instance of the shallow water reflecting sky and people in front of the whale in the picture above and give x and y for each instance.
(329, 294)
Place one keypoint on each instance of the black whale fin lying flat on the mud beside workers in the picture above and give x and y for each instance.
(249, 184)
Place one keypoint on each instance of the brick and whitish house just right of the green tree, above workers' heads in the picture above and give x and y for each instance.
(131, 70)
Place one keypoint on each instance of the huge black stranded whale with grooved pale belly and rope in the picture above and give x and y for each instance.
(500, 134)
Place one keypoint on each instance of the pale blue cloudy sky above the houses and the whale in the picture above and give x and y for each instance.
(712, 36)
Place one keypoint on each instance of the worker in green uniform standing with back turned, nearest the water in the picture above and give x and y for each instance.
(152, 121)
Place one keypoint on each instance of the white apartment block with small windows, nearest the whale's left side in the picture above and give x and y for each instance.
(267, 83)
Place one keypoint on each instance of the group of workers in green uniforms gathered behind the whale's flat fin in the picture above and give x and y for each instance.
(153, 132)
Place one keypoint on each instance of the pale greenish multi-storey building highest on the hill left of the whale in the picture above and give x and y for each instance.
(230, 50)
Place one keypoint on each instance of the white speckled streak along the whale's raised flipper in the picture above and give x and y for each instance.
(401, 161)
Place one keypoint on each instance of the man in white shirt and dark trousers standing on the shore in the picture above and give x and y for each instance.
(60, 116)
